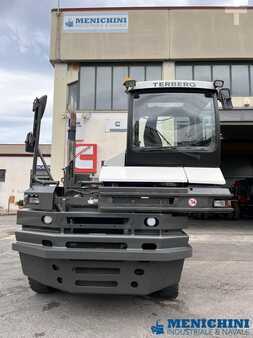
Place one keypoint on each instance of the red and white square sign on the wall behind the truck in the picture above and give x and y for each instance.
(85, 158)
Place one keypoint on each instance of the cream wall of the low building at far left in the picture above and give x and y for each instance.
(17, 178)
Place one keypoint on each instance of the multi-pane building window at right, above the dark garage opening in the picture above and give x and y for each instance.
(236, 76)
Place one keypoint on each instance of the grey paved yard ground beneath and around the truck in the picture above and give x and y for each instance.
(217, 282)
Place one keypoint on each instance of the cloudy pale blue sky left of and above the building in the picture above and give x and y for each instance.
(25, 70)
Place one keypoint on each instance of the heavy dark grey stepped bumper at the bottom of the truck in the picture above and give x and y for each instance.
(131, 263)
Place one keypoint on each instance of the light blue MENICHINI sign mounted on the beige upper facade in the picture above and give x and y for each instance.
(115, 22)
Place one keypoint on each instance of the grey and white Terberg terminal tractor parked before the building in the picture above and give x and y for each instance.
(123, 232)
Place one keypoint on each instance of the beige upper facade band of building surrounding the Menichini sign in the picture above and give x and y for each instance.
(156, 34)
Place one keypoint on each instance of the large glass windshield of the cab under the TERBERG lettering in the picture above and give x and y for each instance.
(174, 120)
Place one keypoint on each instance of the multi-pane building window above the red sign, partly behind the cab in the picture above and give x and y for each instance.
(101, 86)
